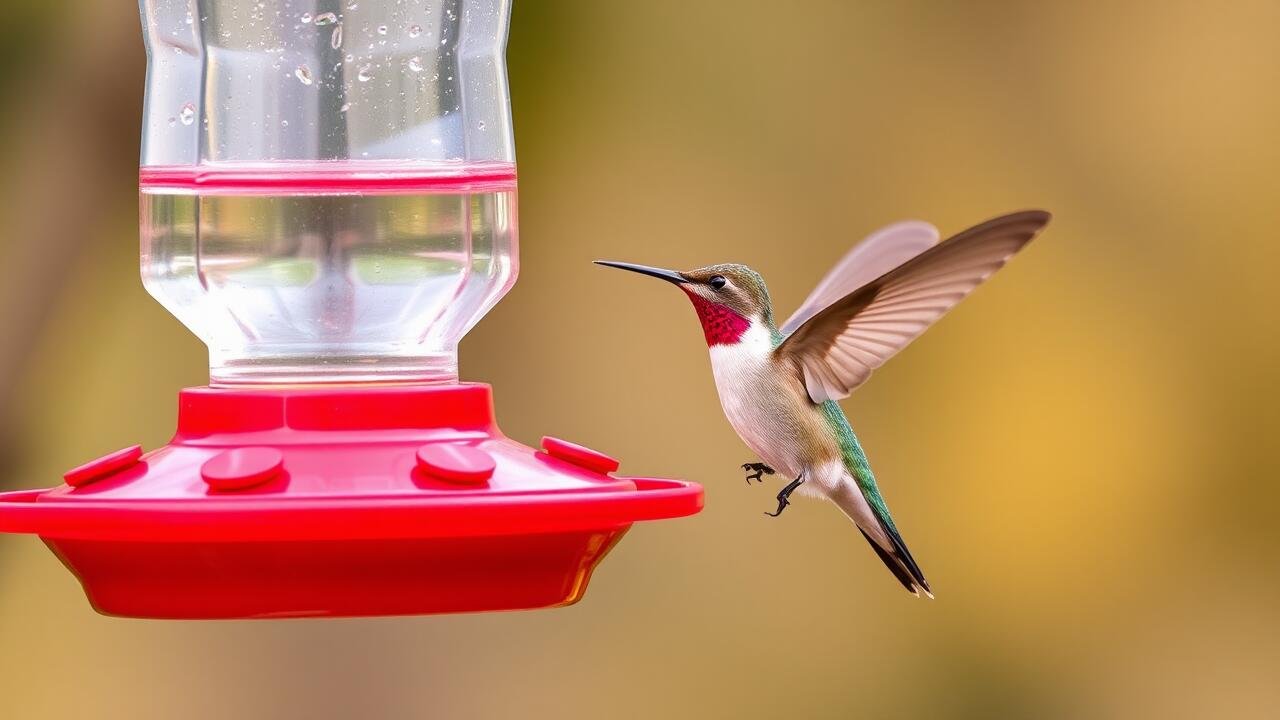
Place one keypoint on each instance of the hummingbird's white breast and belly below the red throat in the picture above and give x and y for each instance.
(751, 399)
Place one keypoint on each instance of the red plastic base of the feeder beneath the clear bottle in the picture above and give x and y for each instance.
(340, 503)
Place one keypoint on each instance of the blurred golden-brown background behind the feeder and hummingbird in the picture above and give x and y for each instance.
(1082, 457)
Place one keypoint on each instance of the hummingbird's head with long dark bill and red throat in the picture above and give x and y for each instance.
(729, 298)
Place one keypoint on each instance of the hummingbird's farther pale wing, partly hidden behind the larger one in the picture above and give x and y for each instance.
(876, 256)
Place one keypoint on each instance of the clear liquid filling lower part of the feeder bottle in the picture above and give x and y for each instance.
(330, 272)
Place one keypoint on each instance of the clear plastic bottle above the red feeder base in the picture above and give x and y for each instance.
(328, 188)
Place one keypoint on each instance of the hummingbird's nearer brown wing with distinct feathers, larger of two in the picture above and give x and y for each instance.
(838, 349)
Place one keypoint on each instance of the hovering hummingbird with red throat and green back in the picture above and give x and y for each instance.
(780, 385)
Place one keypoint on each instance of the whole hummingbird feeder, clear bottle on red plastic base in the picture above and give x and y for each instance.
(328, 200)
